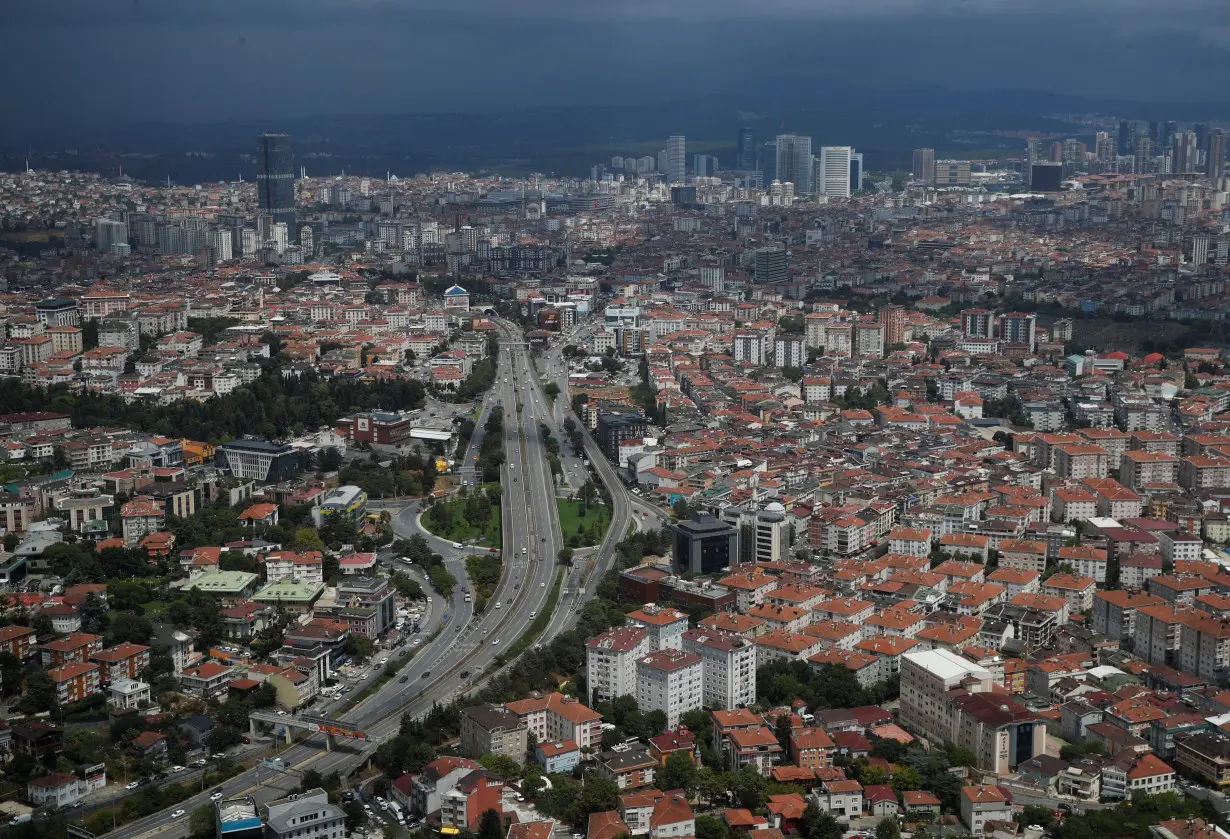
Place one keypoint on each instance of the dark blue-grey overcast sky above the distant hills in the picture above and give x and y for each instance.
(72, 62)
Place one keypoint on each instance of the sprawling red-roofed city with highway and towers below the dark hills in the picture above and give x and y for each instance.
(700, 499)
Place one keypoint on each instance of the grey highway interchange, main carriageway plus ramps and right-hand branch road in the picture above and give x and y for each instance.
(467, 644)
